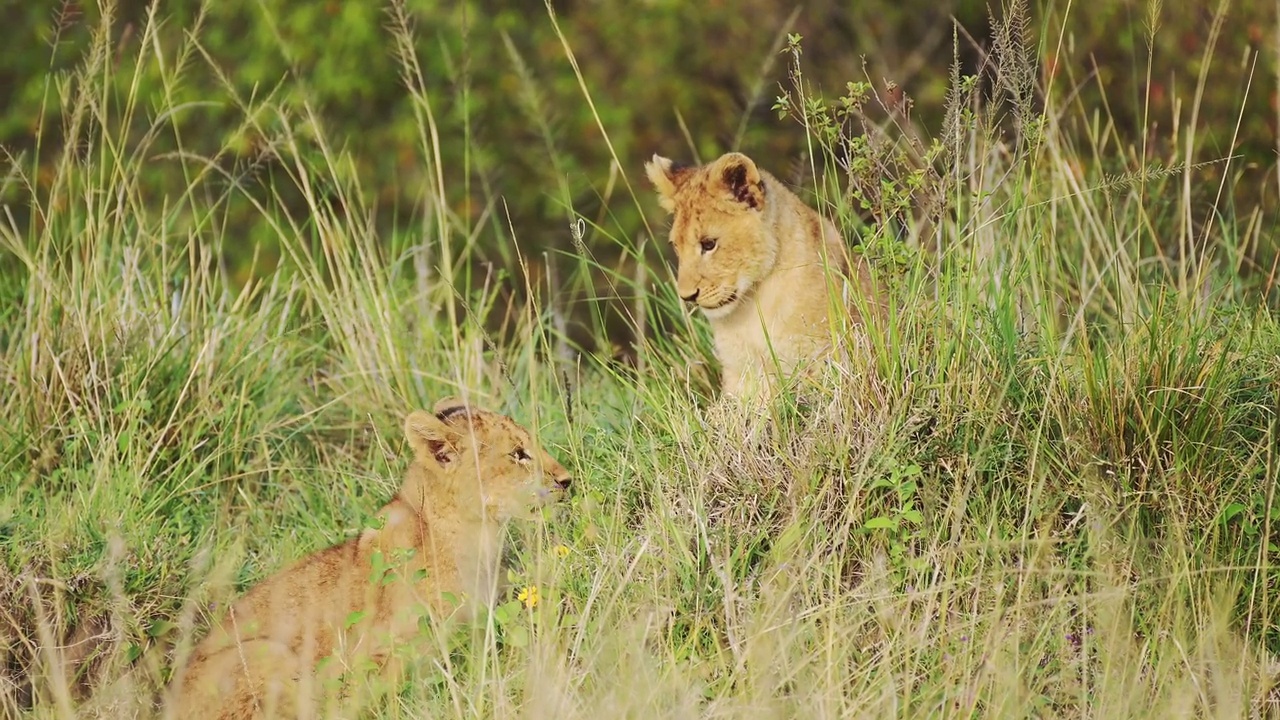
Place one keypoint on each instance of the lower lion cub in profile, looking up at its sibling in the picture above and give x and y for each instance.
(441, 535)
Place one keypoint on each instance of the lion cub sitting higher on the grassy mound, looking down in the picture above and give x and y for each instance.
(761, 265)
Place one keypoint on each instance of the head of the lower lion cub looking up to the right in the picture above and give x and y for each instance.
(479, 462)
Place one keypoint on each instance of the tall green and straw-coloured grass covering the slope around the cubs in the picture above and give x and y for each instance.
(1048, 489)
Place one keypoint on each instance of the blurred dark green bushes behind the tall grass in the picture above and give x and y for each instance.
(522, 151)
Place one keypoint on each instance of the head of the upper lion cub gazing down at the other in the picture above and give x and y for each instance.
(723, 240)
